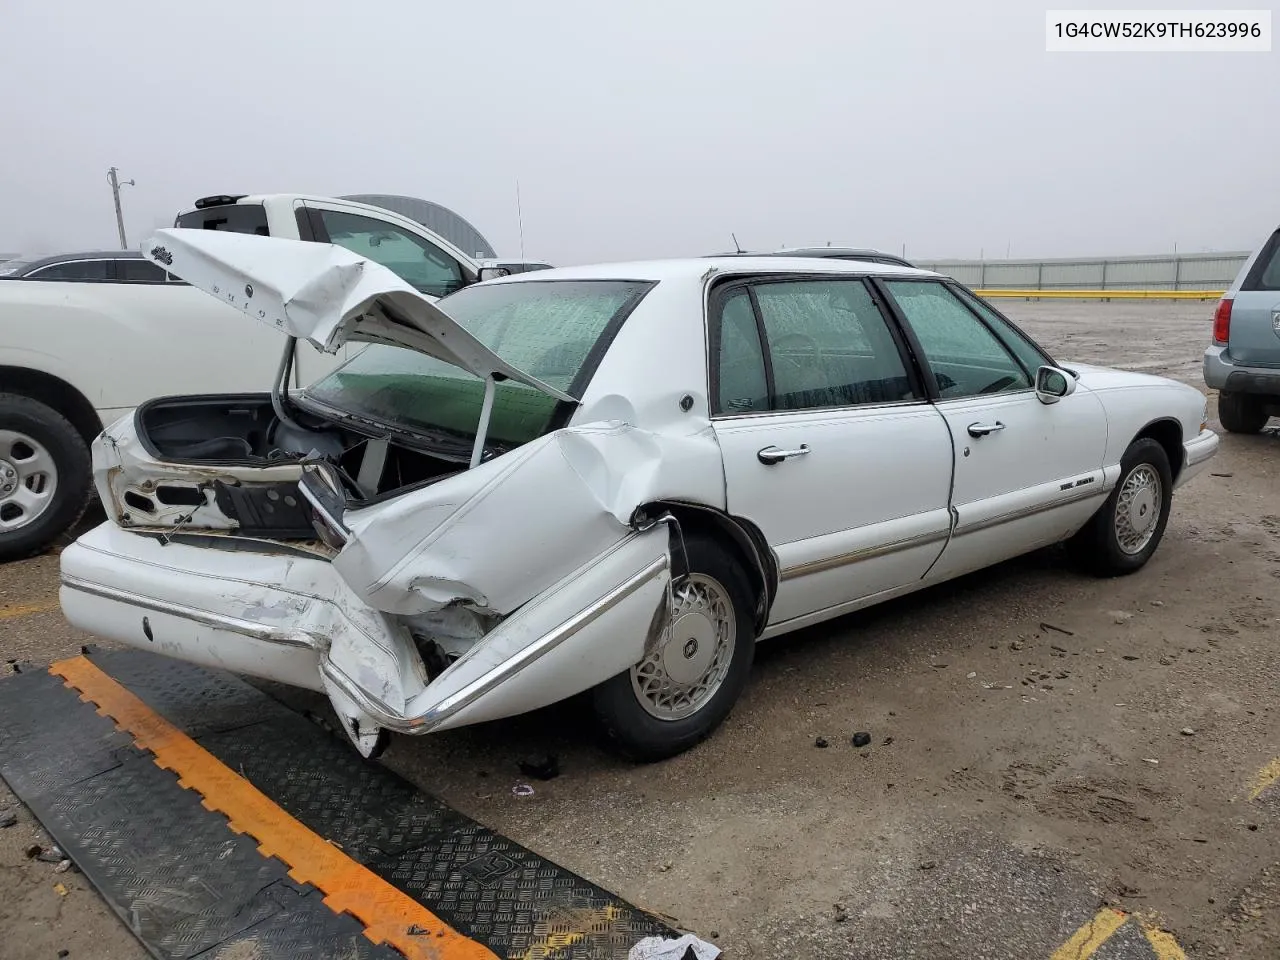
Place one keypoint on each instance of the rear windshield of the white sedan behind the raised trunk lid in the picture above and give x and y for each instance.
(554, 330)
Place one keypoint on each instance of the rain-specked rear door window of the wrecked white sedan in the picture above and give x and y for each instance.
(828, 346)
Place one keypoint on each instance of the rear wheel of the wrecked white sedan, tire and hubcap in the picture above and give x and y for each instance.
(684, 689)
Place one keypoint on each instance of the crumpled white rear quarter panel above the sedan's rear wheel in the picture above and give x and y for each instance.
(428, 550)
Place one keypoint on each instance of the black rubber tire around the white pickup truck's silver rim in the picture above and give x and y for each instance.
(71, 458)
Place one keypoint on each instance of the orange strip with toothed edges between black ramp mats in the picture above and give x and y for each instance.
(388, 915)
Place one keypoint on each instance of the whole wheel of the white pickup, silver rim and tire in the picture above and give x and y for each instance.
(45, 473)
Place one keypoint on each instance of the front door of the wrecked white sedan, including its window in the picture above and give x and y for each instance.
(1027, 474)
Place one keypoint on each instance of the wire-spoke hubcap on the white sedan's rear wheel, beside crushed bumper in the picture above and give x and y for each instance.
(678, 680)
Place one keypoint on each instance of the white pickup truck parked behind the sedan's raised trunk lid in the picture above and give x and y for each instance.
(85, 339)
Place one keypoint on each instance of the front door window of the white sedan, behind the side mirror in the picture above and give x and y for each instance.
(966, 358)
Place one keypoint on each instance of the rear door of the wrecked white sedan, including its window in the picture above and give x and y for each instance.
(829, 444)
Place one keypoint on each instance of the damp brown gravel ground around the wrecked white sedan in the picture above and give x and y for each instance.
(1027, 764)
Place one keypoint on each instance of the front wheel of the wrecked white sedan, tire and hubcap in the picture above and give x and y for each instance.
(1126, 532)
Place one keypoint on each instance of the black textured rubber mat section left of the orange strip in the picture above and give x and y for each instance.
(179, 877)
